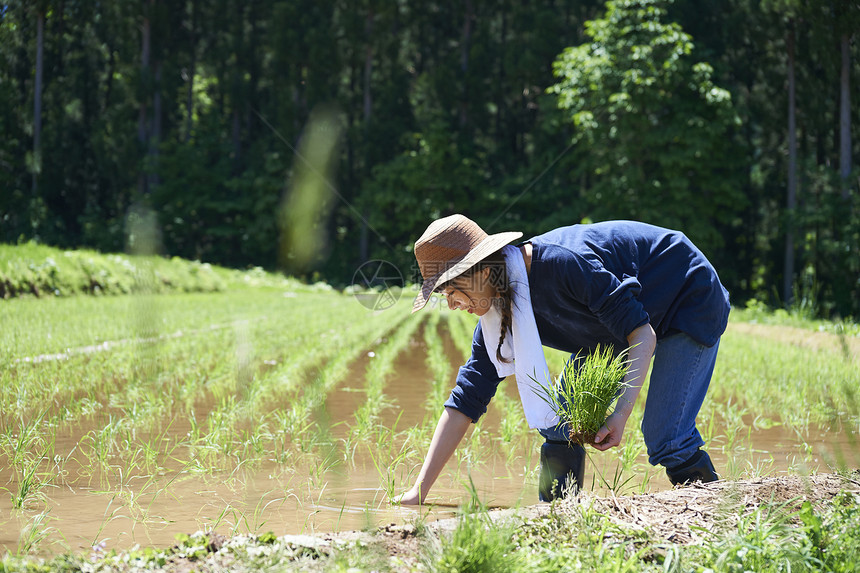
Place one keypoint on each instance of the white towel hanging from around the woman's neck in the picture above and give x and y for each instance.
(522, 343)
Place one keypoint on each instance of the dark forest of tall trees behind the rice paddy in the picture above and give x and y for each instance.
(728, 119)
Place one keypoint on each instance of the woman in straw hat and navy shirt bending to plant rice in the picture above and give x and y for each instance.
(620, 283)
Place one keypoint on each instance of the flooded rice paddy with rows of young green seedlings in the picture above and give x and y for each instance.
(306, 414)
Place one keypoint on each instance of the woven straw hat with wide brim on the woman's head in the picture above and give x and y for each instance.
(449, 247)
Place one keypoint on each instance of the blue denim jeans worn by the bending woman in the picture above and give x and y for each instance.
(680, 378)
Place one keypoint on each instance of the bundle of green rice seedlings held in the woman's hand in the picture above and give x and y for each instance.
(585, 390)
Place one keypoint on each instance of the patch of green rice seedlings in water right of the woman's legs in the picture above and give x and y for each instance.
(817, 388)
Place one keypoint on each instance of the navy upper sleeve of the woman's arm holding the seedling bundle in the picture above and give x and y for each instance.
(613, 300)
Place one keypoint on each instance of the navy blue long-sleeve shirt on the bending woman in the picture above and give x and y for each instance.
(595, 284)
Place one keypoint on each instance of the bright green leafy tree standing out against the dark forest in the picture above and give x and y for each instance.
(653, 130)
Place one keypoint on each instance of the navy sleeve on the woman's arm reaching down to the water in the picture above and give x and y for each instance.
(477, 381)
